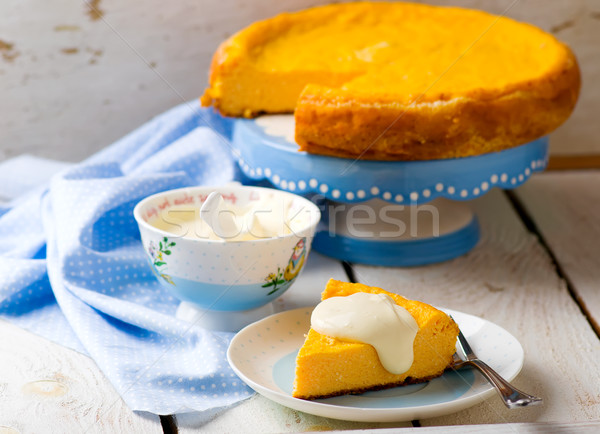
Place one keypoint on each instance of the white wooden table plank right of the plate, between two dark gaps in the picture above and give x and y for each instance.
(509, 279)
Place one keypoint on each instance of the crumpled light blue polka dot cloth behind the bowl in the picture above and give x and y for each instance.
(72, 267)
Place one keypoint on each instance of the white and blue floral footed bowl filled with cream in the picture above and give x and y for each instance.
(226, 249)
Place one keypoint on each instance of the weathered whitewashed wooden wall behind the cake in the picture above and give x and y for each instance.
(76, 75)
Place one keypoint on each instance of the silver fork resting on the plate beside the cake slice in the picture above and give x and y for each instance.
(511, 396)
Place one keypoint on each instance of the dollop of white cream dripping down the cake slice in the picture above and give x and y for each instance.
(372, 319)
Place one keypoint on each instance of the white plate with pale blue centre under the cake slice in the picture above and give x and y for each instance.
(264, 353)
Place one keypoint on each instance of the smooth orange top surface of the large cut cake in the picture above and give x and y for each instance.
(450, 51)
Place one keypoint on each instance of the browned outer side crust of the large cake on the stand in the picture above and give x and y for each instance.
(331, 123)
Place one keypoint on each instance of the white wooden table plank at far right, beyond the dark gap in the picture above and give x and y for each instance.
(565, 209)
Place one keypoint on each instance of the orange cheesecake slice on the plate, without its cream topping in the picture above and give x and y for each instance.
(327, 366)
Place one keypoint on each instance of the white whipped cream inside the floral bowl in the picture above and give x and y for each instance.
(220, 220)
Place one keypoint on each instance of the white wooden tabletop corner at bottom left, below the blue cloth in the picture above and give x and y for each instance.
(45, 387)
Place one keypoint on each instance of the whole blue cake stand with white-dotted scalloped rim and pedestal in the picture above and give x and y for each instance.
(391, 213)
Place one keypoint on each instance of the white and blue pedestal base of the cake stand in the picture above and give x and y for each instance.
(380, 233)
